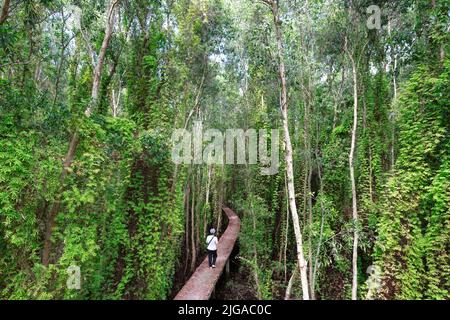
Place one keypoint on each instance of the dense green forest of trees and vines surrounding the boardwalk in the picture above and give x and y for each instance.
(92, 90)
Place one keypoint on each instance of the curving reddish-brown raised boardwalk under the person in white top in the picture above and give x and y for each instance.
(202, 283)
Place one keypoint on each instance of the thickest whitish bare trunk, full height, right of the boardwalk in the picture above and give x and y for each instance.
(288, 154)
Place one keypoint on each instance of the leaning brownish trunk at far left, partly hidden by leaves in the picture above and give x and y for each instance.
(75, 138)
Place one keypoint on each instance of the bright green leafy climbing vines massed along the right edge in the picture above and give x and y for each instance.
(413, 227)
